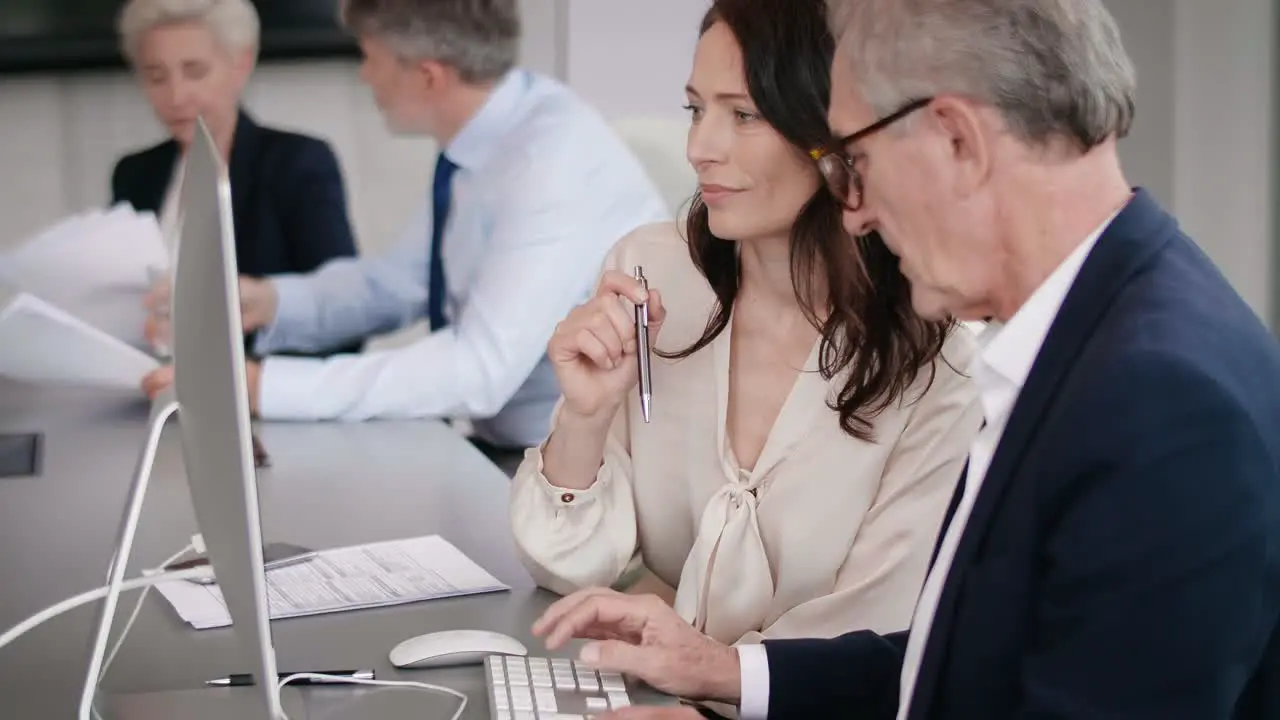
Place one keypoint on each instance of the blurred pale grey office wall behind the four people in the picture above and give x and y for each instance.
(1205, 142)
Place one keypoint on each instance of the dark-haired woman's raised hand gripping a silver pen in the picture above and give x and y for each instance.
(595, 349)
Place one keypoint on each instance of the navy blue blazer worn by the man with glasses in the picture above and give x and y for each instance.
(1123, 557)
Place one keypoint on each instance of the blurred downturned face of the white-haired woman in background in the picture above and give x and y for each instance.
(188, 75)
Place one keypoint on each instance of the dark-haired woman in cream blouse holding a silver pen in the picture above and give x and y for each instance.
(807, 427)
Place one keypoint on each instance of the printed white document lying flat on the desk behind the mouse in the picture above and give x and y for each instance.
(349, 578)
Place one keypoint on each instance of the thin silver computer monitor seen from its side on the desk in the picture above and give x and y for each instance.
(213, 404)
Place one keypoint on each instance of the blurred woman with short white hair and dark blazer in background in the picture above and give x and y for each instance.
(194, 60)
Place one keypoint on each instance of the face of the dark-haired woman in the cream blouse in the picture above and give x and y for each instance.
(753, 181)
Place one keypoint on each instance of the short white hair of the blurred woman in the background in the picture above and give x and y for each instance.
(234, 24)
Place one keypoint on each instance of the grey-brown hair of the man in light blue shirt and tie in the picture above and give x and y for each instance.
(479, 38)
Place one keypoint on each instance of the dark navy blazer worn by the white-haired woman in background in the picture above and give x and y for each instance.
(289, 202)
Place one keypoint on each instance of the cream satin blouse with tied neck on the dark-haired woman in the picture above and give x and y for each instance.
(826, 535)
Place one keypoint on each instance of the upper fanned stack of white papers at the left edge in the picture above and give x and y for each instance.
(93, 266)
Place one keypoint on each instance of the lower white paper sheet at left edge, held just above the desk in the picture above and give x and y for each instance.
(43, 344)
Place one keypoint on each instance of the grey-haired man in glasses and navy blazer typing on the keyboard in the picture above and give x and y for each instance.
(1114, 546)
